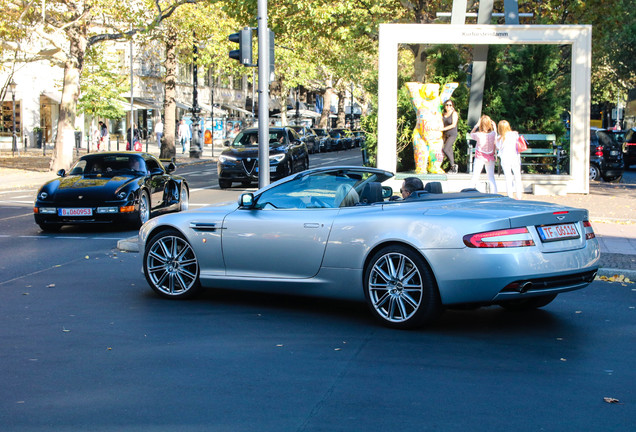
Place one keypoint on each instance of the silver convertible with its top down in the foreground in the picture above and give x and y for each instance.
(335, 232)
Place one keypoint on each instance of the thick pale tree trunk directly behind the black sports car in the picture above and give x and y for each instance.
(65, 139)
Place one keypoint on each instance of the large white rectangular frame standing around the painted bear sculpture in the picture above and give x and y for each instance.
(578, 36)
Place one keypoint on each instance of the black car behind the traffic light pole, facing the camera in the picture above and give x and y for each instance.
(239, 163)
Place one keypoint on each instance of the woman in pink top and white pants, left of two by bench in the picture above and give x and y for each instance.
(484, 134)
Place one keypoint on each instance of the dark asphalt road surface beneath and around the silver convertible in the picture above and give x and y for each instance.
(87, 346)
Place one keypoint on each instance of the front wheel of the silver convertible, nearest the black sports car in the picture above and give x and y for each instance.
(170, 265)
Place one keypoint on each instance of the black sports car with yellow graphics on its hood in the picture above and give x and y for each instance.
(111, 187)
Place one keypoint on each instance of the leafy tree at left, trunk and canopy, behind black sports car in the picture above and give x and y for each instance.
(72, 27)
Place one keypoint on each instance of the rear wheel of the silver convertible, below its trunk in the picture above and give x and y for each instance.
(391, 300)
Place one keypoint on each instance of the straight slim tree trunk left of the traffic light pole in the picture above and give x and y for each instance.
(168, 149)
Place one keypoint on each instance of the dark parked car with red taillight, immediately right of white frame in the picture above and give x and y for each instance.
(606, 156)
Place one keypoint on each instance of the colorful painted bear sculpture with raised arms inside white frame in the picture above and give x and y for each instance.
(427, 135)
